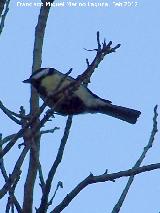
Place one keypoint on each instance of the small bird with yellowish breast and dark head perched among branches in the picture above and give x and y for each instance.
(82, 100)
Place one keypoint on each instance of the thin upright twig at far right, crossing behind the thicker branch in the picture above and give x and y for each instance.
(119, 204)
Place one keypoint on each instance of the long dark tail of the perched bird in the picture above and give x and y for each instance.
(122, 113)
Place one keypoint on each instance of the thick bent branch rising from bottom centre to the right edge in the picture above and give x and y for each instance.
(91, 179)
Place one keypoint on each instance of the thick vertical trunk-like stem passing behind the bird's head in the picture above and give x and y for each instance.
(34, 108)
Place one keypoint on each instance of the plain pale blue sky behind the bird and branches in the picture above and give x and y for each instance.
(129, 77)
